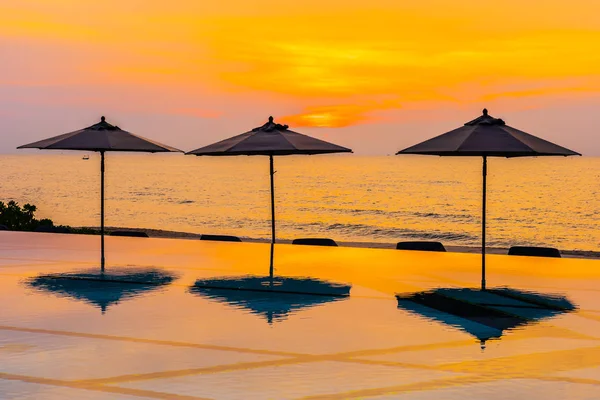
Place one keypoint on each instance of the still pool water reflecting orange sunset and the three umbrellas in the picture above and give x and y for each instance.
(175, 339)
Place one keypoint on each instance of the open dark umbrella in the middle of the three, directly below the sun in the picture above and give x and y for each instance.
(271, 139)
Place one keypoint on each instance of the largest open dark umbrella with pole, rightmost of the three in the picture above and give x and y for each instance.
(485, 137)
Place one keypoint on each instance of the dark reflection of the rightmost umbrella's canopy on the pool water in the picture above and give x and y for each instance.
(484, 314)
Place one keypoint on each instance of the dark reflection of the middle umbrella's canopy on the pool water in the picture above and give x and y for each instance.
(271, 298)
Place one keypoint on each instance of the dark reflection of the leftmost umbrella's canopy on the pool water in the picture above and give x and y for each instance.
(103, 289)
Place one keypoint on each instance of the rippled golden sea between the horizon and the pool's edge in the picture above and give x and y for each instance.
(531, 201)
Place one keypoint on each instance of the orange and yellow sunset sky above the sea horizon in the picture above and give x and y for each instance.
(376, 76)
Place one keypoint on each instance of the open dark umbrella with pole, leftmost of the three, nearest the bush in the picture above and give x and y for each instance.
(100, 137)
